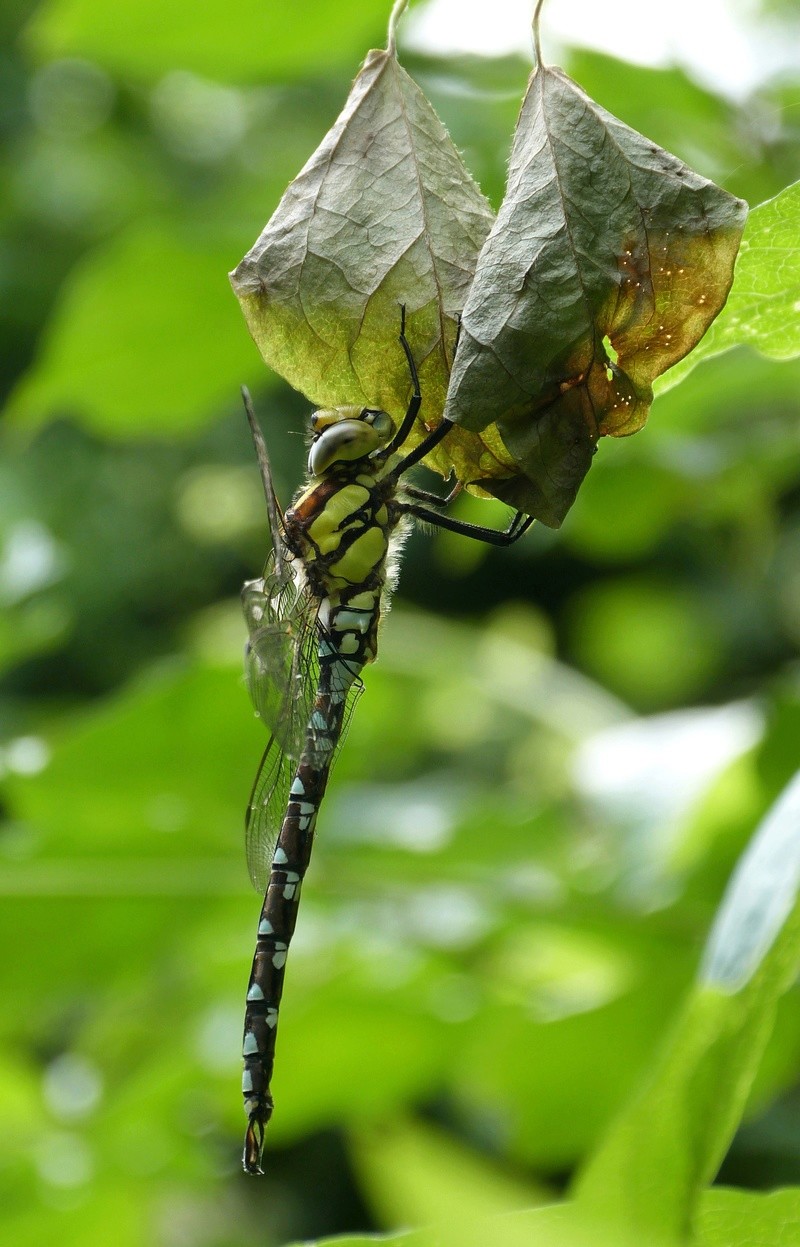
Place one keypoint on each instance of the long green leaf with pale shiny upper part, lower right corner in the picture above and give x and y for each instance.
(671, 1140)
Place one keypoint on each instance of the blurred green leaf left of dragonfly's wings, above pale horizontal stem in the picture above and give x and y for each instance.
(171, 753)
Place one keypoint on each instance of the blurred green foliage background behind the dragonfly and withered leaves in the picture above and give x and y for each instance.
(558, 760)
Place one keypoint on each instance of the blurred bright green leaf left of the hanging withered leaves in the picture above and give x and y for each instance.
(141, 341)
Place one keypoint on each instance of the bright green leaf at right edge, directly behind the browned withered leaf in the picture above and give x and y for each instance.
(763, 310)
